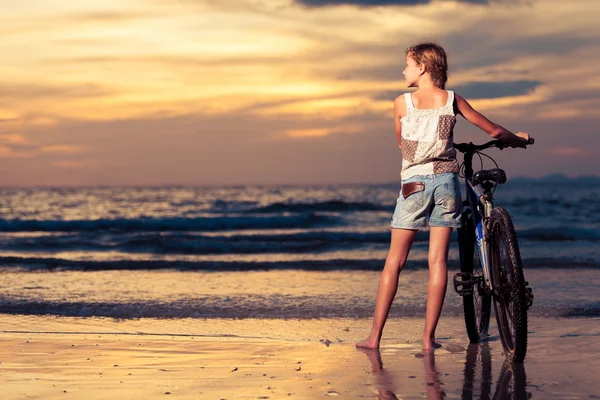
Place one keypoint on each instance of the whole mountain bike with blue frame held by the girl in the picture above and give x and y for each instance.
(490, 261)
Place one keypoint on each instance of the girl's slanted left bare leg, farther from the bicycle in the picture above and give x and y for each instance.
(401, 242)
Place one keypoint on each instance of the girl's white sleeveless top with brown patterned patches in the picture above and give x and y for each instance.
(427, 138)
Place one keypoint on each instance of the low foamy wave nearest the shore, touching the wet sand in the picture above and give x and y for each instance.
(256, 306)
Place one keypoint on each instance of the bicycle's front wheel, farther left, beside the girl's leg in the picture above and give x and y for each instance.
(477, 307)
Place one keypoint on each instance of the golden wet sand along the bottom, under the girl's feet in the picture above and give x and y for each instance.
(190, 358)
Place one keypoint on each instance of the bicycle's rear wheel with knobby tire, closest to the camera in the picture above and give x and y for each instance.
(509, 286)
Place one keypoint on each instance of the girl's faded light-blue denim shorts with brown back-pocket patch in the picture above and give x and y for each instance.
(440, 204)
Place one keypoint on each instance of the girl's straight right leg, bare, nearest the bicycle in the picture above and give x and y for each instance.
(438, 278)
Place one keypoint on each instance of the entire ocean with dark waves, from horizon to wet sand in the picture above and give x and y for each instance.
(268, 252)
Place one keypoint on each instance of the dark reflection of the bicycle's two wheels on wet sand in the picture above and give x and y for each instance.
(511, 384)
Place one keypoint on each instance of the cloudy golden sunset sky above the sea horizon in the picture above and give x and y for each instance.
(273, 92)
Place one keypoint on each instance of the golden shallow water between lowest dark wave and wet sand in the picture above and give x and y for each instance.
(263, 294)
